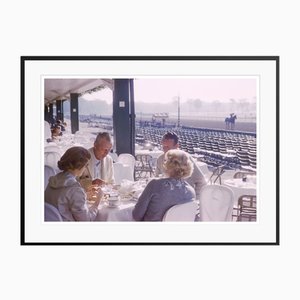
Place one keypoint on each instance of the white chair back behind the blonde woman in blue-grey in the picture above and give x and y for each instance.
(181, 212)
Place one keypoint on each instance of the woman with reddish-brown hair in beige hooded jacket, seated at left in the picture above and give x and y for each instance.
(65, 192)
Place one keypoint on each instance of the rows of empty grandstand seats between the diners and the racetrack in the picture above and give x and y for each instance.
(233, 150)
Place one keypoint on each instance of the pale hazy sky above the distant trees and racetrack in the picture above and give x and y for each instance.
(207, 89)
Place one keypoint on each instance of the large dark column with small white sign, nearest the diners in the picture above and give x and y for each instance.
(123, 116)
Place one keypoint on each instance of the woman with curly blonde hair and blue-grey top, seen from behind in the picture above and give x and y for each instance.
(160, 194)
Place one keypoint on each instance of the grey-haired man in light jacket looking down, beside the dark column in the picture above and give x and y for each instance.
(99, 170)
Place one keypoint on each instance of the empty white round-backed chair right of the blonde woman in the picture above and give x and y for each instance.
(216, 203)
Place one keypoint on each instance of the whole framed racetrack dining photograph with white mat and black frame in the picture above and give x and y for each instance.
(149, 150)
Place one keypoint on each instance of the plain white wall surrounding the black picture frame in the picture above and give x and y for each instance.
(148, 28)
